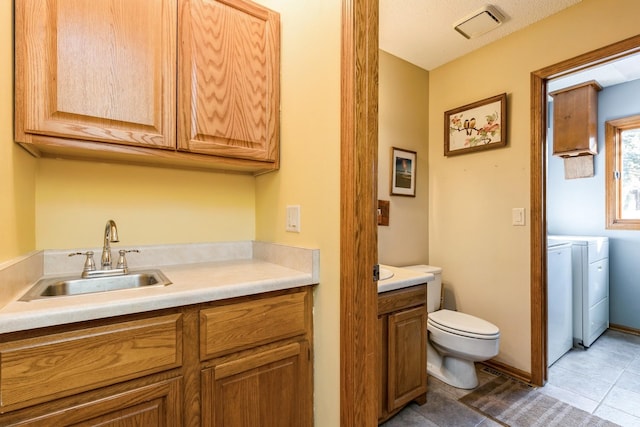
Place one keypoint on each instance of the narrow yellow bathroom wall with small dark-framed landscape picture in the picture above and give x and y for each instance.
(403, 116)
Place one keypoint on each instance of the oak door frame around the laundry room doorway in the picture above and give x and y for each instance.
(539, 189)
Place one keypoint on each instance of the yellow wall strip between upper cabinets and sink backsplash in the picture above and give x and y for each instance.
(150, 205)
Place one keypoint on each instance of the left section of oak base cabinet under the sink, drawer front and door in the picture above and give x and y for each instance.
(90, 374)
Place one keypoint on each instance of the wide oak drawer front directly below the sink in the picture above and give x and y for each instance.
(44, 368)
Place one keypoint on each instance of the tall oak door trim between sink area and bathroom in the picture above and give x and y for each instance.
(358, 230)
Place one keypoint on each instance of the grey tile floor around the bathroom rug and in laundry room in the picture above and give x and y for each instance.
(603, 380)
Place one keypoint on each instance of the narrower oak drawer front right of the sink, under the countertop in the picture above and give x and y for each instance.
(239, 326)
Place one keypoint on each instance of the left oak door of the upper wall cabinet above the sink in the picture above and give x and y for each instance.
(91, 70)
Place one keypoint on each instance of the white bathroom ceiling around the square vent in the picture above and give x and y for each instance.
(421, 31)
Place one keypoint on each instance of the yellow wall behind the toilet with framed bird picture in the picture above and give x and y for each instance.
(486, 259)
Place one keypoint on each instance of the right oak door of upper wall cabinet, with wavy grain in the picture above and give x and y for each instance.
(229, 73)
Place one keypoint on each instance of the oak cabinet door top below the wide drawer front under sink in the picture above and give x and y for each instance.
(158, 404)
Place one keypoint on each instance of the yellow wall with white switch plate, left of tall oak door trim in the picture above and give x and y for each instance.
(310, 173)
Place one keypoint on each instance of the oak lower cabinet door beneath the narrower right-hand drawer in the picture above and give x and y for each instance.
(269, 388)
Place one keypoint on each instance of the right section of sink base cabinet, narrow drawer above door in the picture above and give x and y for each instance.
(257, 362)
